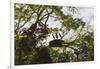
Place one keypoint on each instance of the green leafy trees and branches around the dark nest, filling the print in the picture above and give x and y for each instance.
(29, 46)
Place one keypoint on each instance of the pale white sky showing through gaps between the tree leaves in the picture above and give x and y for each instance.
(85, 13)
